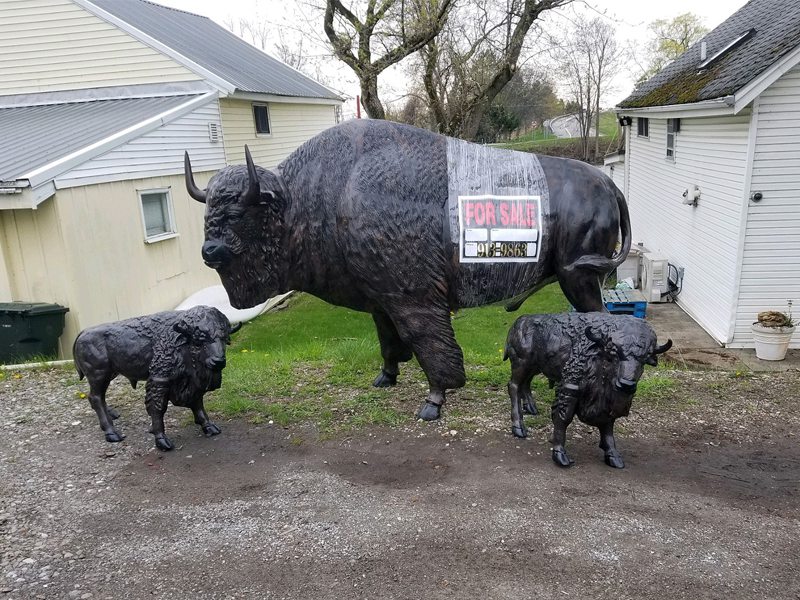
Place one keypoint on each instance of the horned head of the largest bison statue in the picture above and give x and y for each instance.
(245, 231)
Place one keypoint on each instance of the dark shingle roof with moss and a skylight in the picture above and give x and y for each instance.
(776, 33)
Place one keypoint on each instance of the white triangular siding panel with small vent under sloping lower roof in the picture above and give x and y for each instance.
(157, 153)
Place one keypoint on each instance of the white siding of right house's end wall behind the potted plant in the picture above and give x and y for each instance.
(771, 257)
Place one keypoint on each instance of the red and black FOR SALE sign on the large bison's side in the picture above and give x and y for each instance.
(499, 228)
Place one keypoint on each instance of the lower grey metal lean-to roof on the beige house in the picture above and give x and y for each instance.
(37, 136)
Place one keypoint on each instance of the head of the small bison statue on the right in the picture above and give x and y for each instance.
(630, 347)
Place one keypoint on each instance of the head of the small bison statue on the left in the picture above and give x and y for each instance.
(207, 331)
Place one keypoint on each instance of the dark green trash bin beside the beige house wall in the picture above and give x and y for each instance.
(30, 329)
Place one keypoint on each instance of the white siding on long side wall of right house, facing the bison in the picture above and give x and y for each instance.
(711, 153)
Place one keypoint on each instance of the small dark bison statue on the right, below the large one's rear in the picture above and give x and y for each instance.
(595, 361)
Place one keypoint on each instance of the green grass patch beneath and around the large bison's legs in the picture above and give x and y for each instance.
(314, 362)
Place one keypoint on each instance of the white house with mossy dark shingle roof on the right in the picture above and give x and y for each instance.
(722, 122)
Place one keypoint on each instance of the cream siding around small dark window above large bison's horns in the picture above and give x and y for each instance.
(291, 125)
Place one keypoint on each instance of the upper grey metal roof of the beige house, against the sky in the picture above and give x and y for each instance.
(214, 48)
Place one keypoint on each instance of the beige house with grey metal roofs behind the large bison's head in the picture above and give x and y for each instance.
(98, 102)
